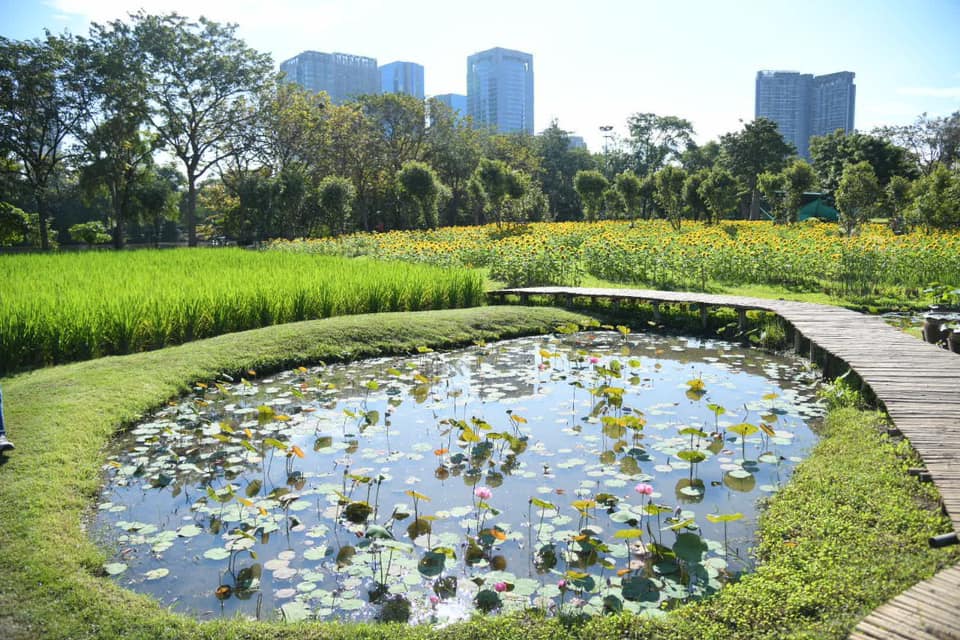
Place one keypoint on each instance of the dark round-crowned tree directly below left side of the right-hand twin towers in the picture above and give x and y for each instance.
(757, 148)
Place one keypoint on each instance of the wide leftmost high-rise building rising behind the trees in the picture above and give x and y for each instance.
(342, 75)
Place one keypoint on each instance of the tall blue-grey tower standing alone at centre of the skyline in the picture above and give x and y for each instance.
(500, 90)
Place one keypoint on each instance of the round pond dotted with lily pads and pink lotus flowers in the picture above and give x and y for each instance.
(593, 471)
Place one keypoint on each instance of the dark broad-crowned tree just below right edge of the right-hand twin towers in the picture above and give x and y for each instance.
(832, 152)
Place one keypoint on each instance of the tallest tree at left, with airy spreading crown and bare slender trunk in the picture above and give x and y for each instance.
(202, 77)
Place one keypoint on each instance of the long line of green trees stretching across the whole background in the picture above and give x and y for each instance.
(157, 125)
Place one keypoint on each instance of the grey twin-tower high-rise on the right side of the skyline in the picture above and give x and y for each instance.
(804, 105)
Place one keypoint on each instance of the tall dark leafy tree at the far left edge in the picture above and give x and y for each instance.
(37, 112)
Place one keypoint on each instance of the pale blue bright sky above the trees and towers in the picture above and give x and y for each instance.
(598, 62)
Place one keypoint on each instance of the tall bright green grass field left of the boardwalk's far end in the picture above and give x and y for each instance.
(67, 307)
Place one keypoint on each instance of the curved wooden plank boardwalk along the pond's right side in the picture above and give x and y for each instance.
(918, 384)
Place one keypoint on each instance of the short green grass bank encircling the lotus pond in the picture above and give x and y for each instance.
(847, 533)
